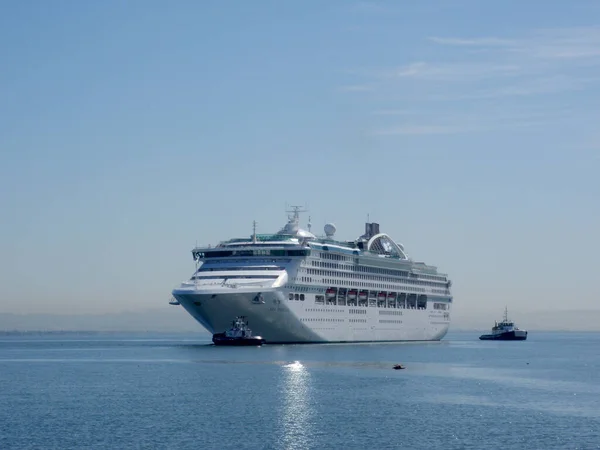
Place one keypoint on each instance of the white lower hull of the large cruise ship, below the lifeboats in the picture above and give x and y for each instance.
(280, 320)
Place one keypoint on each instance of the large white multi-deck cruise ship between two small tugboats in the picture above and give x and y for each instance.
(296, 287)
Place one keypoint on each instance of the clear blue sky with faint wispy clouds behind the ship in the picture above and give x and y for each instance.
(129, 131)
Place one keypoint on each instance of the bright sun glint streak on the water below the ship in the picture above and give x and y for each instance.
(296, 422)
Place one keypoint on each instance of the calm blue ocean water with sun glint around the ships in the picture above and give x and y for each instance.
(84, 391)
